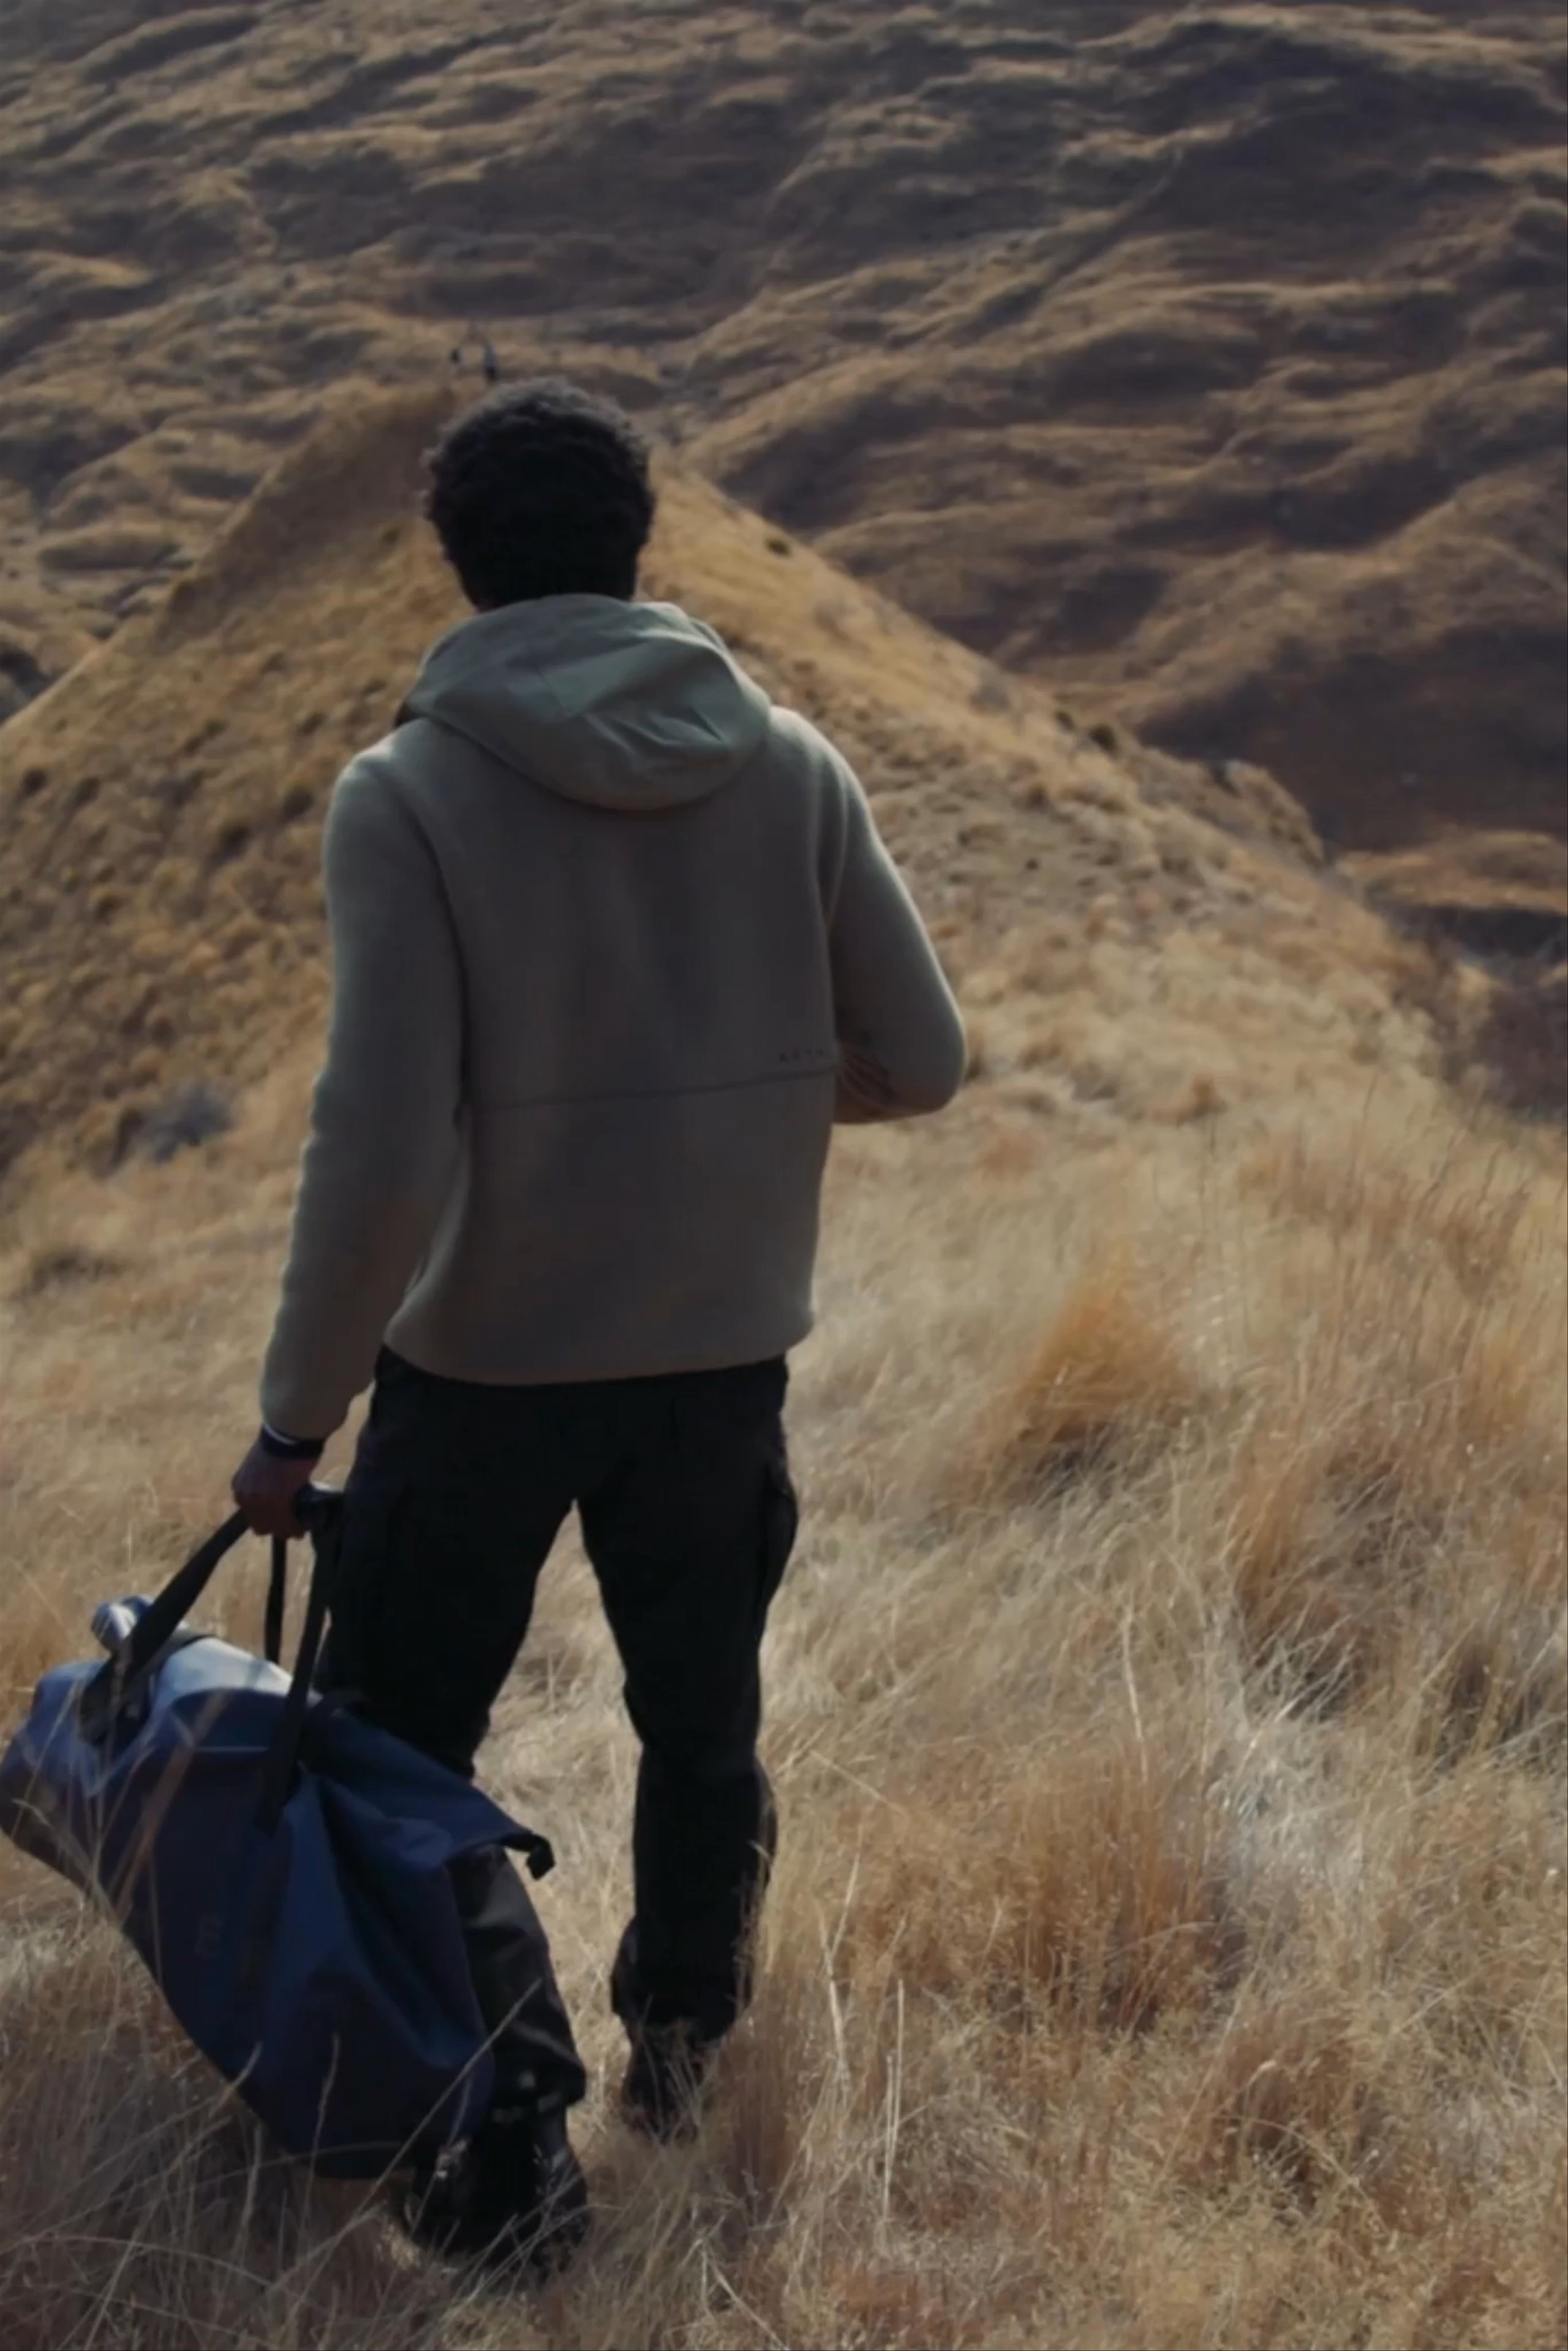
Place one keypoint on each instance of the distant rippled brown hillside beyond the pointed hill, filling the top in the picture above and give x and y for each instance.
(1205, 359)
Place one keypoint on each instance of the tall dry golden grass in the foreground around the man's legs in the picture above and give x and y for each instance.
(1170, 1717)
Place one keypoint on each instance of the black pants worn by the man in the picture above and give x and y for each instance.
(683, 1489)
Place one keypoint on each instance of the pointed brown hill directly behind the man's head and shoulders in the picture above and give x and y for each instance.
(1132, 932)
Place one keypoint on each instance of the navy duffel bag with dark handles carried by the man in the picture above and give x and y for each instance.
(279, 1863)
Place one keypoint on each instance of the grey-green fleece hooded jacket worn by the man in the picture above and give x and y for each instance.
(615, 942)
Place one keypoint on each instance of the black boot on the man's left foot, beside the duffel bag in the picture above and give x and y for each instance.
(516, 2195)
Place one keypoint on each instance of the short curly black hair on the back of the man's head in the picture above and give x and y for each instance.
(542, 490)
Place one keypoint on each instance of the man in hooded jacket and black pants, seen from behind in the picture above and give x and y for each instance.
(615, 944)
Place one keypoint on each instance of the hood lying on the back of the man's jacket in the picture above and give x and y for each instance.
(622, 706)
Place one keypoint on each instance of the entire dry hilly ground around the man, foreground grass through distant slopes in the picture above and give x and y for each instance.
(1170, 1699)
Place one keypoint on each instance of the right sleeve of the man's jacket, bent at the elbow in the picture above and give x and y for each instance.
(902, 1033)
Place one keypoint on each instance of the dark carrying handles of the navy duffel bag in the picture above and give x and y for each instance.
(319, 1511)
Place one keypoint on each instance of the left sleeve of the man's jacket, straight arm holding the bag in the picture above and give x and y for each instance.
(384, 1123)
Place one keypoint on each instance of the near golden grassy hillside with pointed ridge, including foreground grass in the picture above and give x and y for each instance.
(1170, 1701)
